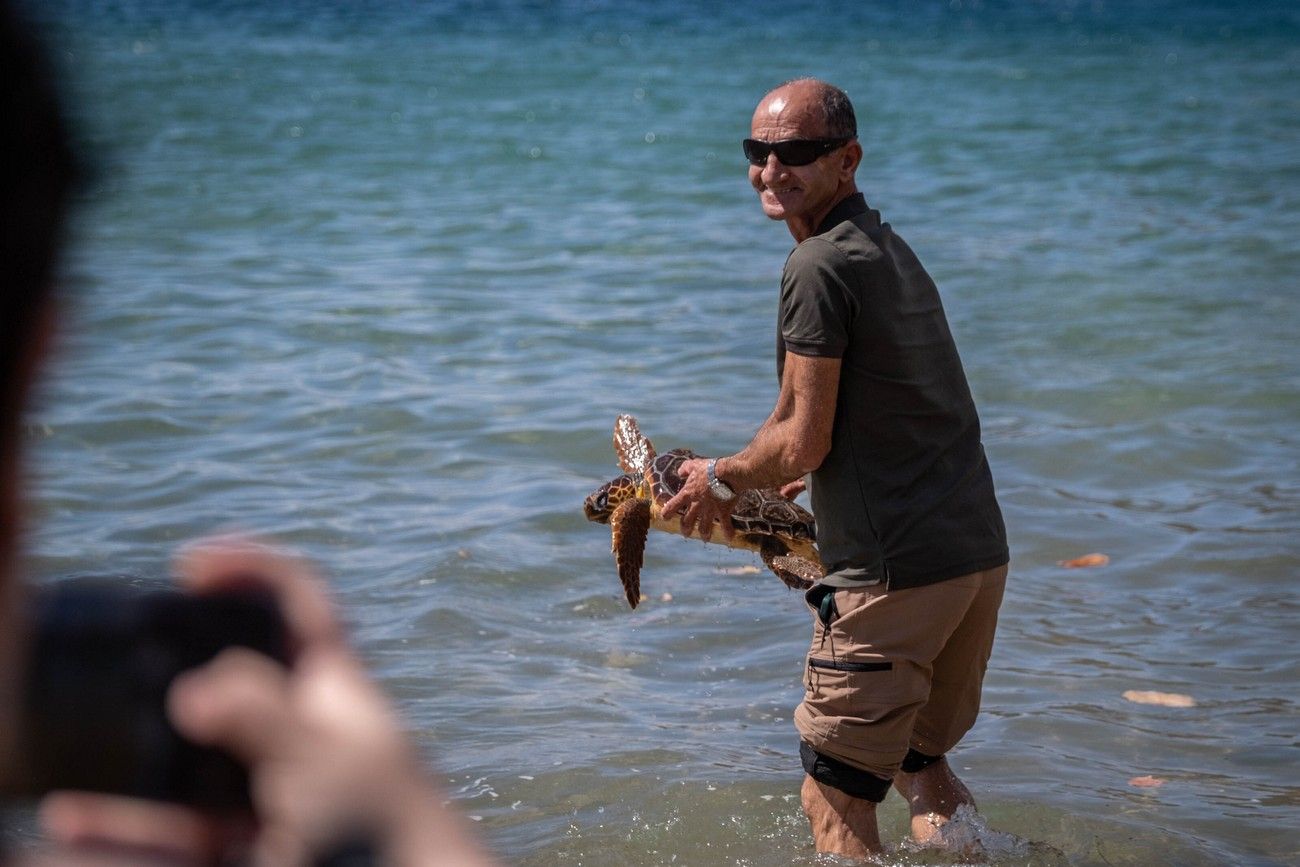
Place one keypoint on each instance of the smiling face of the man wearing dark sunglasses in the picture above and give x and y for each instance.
(800, 193)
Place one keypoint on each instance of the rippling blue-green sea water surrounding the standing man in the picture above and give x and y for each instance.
(376, 278)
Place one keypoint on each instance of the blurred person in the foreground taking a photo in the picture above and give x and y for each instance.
(335, 778)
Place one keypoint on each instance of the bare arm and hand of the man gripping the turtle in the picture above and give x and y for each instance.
(792, 443)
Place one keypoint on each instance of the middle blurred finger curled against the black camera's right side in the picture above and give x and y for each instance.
(240, 703)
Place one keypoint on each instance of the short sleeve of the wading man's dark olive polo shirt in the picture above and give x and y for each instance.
(817, 306)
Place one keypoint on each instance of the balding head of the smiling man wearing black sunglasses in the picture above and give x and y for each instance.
(820, 118)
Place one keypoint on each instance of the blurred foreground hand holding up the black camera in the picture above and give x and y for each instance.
(335, 778)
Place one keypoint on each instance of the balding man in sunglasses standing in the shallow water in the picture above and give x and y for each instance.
(874, 408)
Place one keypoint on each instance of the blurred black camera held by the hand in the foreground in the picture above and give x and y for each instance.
(101, 657)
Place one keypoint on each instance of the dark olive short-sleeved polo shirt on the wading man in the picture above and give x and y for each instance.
(905, 495)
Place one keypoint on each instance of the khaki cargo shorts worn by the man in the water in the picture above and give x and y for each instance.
(898, 670)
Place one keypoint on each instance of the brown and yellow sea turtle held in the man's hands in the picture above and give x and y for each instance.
(781, 531)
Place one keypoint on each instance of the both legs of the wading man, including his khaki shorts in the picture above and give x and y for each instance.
(869, 674)
